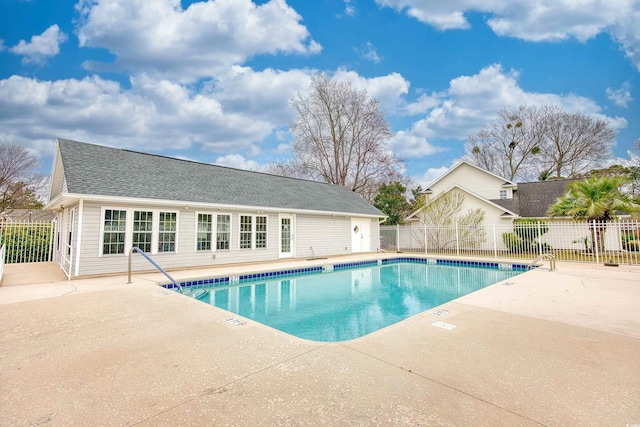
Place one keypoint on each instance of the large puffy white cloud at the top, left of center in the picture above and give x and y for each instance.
(162, 39)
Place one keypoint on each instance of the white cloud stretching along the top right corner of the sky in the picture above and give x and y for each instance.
(536, 20)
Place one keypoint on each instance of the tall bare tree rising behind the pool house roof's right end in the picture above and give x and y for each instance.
(340, 138)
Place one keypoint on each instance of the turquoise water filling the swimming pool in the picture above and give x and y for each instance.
(349, 303)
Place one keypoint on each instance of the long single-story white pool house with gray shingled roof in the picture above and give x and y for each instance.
(186, 214)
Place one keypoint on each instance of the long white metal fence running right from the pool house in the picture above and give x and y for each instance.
(568, 241)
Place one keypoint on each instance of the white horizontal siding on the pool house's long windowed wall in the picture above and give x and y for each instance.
(327, 235)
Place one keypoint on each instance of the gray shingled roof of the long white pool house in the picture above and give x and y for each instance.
(98, 170)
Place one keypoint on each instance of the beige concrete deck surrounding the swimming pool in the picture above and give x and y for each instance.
(542, 348)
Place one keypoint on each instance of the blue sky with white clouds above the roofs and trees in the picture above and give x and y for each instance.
(210, 81)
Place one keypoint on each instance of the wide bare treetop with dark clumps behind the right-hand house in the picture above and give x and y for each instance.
(540, 142)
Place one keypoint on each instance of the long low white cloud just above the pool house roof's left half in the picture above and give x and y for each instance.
(156, 114)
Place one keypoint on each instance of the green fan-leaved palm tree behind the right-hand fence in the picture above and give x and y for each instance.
(595, 200)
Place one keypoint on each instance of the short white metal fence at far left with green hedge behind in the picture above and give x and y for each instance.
(27, 242)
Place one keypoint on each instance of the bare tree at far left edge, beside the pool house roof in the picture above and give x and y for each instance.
(19, 180)
